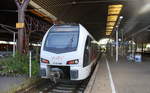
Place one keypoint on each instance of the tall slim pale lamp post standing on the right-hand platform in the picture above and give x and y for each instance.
(117, 27)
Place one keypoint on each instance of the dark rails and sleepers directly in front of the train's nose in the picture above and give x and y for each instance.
(66, 86)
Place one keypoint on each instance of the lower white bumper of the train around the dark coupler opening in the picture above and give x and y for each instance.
(74, 72)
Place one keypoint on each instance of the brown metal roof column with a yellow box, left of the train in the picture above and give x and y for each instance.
(21, 5)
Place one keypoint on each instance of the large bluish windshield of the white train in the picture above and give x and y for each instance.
(61, 41)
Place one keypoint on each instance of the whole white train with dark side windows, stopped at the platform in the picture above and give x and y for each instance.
(68, 51)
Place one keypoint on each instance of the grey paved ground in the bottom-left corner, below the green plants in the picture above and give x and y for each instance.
(11, 84)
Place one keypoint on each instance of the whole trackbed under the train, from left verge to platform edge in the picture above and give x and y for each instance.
(62, 86)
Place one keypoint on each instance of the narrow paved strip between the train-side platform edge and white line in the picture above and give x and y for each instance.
(101, 82)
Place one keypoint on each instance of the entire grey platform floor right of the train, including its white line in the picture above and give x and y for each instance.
(126, 77)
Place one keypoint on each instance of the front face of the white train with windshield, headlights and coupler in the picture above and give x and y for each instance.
(60, 55)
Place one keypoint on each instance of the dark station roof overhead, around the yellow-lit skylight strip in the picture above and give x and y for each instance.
(90, 13)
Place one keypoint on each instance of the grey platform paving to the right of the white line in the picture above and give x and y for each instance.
(131, 77)
